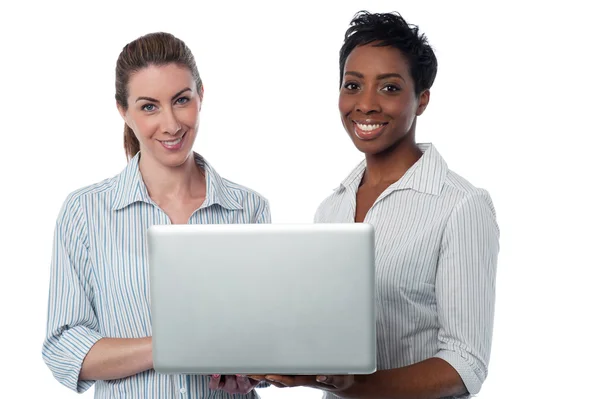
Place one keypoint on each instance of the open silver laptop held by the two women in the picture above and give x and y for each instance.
(263, 298)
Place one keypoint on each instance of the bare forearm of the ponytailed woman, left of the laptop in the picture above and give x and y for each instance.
(115, 358)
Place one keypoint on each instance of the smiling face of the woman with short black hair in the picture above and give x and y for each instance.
(377, 101)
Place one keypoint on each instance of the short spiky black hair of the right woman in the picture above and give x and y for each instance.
(390, 29)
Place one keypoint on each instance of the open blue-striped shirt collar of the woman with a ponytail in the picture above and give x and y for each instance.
(130, 186)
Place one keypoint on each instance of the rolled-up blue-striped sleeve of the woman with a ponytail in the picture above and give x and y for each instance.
(72, 326)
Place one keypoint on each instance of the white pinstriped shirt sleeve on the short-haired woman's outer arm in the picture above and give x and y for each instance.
(465, 288)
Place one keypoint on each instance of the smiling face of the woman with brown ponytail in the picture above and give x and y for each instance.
(163, 110)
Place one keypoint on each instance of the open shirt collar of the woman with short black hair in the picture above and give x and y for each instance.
(427, 175)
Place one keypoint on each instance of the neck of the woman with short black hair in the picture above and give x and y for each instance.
(389, 166)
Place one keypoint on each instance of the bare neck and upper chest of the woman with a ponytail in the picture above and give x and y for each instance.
(183, 182)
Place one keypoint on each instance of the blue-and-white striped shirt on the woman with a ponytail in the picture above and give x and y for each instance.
(99, 276)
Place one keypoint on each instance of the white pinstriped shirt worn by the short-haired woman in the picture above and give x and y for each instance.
(436, 248)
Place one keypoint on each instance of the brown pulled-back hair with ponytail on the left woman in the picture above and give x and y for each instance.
(152, 49)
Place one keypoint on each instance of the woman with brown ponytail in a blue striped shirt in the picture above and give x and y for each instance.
(99, 322)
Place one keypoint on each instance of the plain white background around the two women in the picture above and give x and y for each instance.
(514, 110)
